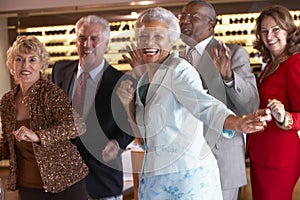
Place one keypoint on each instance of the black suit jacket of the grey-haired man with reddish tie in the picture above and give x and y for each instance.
(104, 179)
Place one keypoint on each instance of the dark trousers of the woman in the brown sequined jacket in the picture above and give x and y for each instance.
(74, 192)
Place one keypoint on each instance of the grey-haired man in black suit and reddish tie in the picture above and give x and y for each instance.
(105, 136)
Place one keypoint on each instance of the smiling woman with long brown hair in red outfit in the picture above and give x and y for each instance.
(275, 152)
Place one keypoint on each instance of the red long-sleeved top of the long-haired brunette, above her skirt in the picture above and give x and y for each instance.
(275, 146)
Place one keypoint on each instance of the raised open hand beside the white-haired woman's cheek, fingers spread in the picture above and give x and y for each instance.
(135, 60)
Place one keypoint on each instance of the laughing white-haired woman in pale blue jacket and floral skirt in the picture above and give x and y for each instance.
(167, 112)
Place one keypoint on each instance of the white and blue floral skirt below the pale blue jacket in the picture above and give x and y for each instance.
(202, 183)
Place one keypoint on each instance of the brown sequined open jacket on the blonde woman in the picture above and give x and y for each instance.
(53, 119)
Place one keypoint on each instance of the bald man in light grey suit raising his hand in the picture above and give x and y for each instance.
(227, 74)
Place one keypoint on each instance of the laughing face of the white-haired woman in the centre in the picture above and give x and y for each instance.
(153, 41)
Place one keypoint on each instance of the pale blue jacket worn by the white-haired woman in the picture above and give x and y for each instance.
(171, 122)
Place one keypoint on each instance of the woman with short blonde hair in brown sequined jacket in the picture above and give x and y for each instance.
(37, 124)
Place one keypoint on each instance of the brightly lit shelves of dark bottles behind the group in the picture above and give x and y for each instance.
(230, 28)
